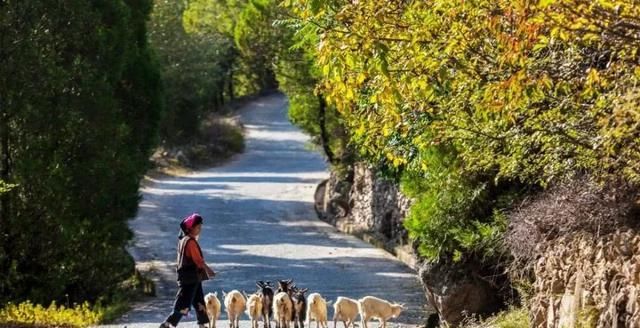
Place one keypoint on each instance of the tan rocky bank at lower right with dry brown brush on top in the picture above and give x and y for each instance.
(578, 243)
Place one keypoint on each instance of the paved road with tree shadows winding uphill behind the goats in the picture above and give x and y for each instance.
(260, 225)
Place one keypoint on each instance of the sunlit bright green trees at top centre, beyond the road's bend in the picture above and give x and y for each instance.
(270, 53)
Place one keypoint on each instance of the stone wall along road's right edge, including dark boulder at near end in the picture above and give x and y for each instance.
(374, 209)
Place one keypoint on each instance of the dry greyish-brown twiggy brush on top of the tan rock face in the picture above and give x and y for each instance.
(577, 206)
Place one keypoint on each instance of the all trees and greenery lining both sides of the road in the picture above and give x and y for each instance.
(472, 107)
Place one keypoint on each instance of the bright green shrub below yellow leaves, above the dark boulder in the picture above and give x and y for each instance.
(454, 216)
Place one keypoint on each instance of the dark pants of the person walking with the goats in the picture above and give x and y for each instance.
(188, 295)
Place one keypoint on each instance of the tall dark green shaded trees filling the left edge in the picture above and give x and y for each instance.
(80, 102)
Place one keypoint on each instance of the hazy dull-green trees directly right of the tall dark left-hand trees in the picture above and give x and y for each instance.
(196, 71)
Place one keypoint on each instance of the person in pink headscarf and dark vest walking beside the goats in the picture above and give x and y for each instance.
(192, 270)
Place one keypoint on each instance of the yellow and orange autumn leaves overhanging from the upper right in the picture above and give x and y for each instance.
(470, 73)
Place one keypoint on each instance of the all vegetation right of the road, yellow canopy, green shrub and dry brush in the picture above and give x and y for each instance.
(475, 108)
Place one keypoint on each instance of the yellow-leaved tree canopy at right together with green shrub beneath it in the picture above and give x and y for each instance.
(515, 92)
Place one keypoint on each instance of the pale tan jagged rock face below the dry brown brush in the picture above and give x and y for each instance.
(588, 281)
